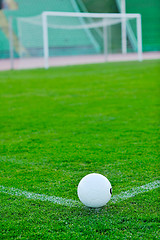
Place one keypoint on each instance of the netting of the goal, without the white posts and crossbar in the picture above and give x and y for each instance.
(68, 36)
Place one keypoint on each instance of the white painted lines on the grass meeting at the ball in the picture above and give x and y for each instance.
(72, 203)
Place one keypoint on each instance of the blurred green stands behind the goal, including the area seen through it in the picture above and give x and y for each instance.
(21, 33)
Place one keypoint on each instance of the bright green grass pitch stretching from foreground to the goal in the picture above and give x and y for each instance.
(58, 125)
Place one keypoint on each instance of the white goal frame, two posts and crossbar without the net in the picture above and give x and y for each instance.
(90, 15)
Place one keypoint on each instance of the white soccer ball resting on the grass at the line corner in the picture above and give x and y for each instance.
(94, 190)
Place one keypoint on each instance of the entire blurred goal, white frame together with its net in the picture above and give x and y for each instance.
(61, 38)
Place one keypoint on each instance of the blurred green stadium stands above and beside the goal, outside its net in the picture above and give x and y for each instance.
(22, 8)
